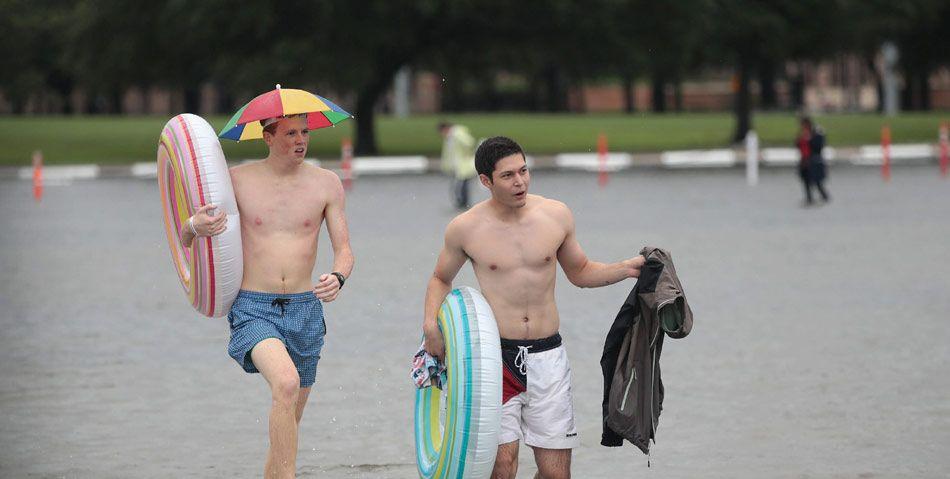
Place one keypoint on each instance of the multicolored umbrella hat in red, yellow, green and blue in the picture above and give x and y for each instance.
(246, 125)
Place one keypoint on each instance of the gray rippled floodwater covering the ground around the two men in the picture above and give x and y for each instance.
(820, 347)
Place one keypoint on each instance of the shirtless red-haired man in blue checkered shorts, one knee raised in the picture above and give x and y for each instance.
(277, 323)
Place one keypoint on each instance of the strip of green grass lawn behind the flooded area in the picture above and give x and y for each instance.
(123, 140)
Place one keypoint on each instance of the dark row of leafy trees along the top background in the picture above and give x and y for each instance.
(355, 47)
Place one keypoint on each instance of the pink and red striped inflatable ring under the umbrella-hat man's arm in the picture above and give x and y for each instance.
(192, 172)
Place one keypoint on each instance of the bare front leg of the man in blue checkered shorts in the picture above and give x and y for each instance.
(271, 359)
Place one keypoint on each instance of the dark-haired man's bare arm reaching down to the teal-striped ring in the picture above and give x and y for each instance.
(451, 259)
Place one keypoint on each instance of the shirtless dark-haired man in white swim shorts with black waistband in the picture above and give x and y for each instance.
(513, 240)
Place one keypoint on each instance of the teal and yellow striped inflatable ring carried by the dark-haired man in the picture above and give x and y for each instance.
(456, 430)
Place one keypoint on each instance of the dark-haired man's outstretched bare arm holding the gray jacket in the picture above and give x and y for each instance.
(583, 272)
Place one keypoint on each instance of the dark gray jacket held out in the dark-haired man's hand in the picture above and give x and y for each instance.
(633, 391)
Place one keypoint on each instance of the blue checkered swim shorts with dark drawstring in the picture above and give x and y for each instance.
(295, 319)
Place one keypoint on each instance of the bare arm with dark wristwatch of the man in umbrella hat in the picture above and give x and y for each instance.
(343, 259)
